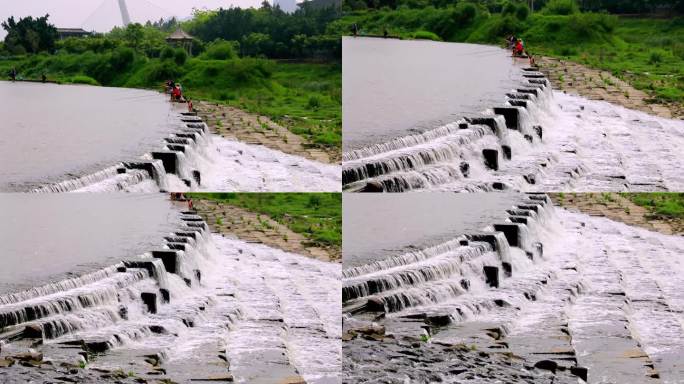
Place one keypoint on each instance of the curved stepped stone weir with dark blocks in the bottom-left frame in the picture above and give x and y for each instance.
(153, 300)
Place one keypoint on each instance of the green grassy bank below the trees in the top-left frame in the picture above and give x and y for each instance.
(304, 97)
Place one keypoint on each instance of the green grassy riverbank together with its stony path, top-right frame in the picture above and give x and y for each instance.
(638, 58)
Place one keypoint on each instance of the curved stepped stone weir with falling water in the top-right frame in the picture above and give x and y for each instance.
(465, 155)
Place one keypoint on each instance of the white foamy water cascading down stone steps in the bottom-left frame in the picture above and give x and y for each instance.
(246, 310)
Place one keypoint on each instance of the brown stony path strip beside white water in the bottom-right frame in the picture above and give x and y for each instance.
(617, 208)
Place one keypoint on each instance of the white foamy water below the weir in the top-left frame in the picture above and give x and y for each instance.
(225, 166)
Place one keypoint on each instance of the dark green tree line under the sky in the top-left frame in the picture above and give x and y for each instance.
(258, 32)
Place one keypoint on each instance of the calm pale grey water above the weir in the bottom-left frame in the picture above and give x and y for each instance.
(45, 238)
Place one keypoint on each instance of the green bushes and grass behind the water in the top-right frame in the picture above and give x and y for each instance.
(646, 51)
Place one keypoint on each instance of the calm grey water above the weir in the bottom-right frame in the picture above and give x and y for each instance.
(377, 226)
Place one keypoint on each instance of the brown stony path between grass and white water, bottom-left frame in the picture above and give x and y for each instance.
(253, 227)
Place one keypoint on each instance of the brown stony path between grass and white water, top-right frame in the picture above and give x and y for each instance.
(596, 84)
